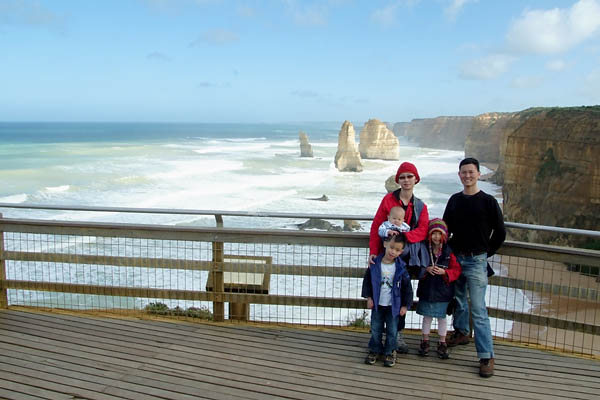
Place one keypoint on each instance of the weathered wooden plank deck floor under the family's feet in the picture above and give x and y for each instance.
(65, 356)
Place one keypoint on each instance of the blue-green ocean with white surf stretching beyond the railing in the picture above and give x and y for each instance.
(228, 167)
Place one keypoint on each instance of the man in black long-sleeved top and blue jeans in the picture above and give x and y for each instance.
(476, 224)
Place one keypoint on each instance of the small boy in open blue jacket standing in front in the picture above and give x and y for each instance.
(388, 290)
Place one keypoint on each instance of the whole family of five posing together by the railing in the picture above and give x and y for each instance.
(448, 256)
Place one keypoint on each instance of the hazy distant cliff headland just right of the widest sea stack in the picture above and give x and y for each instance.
(438, 133)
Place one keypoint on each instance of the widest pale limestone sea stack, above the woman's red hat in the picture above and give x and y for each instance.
(378, 142)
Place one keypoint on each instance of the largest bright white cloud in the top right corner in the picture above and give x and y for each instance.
(556, 30)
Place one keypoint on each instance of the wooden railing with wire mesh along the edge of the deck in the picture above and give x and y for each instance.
(273, 276)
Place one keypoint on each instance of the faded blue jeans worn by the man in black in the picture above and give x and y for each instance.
(474, 280)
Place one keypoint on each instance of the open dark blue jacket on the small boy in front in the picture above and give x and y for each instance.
(402, 293)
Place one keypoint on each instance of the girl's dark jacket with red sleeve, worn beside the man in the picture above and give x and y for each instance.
(440, 288)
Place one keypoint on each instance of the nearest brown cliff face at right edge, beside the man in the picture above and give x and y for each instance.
(552, 171)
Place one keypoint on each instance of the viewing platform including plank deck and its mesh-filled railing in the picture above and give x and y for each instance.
(113, 310)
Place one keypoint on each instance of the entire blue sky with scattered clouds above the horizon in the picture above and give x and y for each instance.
(275, 61)
